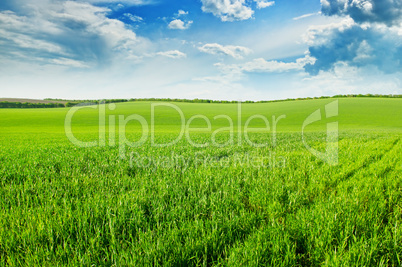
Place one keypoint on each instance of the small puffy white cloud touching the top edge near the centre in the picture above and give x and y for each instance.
(228, 10)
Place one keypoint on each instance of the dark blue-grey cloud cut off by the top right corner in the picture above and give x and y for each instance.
(388, 12)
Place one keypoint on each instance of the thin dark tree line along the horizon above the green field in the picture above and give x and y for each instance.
(70, 103)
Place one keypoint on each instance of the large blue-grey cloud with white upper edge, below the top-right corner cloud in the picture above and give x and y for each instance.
(356, 46)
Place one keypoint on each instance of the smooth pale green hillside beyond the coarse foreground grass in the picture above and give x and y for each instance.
(377, 114)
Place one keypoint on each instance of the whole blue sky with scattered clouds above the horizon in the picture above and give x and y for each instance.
(215, 49)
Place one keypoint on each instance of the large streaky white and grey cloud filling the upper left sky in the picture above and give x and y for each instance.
(66, 33)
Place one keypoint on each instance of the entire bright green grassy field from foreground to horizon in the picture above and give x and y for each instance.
(241, 191)
